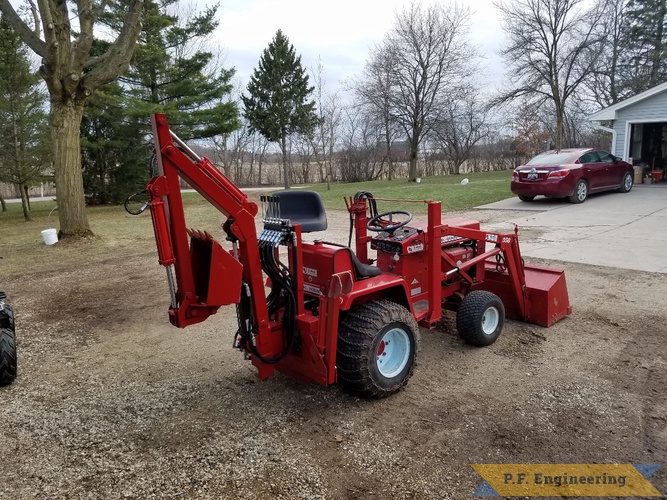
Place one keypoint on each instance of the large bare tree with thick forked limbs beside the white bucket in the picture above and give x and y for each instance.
(71, 74)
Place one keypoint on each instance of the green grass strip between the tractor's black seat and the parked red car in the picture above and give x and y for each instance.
(484, 187)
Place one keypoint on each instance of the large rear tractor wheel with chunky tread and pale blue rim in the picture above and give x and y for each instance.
(377, 348)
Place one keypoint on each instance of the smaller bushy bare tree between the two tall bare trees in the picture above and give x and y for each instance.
(461, 126)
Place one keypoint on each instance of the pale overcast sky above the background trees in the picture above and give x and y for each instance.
(340, 32)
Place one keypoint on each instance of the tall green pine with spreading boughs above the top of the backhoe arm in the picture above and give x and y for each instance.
(169, 74)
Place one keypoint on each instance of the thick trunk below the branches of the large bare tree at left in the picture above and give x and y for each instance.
(65, 127)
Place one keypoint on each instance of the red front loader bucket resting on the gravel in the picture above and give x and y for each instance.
(546, 298)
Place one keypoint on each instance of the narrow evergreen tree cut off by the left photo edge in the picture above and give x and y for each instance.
(23, 122)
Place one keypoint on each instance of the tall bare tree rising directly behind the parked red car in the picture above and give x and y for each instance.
(551, 49)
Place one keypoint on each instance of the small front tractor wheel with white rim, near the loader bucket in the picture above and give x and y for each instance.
(480, 318)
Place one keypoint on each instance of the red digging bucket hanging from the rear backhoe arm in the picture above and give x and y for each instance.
(217, 274)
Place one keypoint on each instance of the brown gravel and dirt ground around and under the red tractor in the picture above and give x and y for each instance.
(113, 402)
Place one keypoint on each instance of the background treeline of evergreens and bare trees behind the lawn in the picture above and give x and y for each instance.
(421, 106)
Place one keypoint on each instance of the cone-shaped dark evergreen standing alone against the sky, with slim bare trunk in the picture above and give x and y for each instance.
(278, 103)
